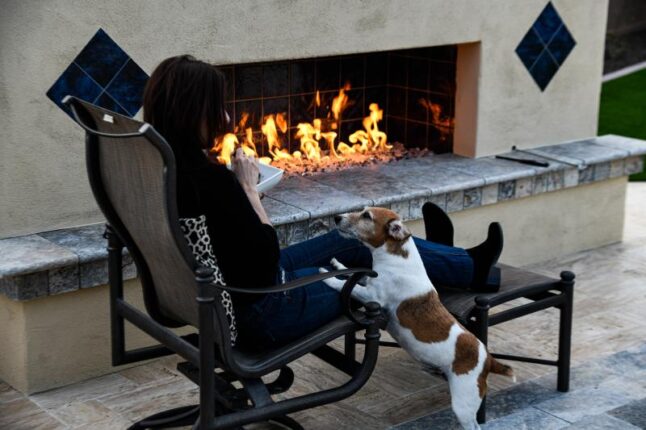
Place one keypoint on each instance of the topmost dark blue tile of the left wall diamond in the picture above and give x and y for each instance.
(101, 58)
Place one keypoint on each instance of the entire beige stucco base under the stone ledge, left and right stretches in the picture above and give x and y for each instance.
(62, 339)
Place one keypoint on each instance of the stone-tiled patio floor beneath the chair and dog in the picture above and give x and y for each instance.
(608, 388)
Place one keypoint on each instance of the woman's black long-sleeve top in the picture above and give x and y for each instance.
(246, 249)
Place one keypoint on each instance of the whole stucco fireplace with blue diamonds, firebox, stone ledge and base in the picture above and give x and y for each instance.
(456, 81)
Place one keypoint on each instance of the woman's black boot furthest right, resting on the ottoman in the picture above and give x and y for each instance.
(486, 277)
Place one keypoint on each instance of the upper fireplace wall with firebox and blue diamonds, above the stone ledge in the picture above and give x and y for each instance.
(516, 73)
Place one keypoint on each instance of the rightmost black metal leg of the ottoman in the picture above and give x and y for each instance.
(565, 332)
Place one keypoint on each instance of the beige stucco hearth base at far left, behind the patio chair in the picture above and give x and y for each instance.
(58, 340)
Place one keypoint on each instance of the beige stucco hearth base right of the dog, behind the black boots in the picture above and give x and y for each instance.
(548, 225)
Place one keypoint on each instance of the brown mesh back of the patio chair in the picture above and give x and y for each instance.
(133, 174)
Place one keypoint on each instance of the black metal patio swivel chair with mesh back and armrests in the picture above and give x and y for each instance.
(132, 174)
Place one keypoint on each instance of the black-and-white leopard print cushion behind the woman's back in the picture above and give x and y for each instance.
(199, 242)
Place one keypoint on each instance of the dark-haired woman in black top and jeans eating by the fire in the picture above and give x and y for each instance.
(184, 101)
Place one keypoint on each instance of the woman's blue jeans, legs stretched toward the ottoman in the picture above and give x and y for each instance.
(278, 318)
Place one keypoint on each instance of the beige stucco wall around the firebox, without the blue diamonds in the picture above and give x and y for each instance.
(42, 178)
